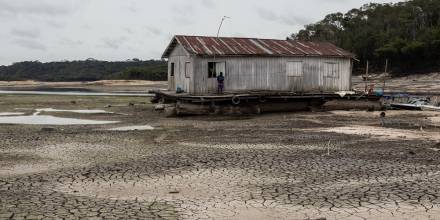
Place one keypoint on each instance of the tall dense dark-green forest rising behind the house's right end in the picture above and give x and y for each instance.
(406, 33)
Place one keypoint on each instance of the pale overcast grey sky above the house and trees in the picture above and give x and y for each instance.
(115, 30)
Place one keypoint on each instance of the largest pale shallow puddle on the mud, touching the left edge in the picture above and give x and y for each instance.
(50, 120)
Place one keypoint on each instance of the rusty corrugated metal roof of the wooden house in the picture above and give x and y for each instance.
(232, 46)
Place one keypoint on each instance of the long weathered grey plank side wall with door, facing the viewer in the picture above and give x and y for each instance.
(260, 73)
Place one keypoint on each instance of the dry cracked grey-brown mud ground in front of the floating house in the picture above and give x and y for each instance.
(280, 166)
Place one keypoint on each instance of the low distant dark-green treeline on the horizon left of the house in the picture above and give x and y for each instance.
(88, 70)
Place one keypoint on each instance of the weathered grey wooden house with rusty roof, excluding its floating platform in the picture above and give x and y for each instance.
(251, 64)
